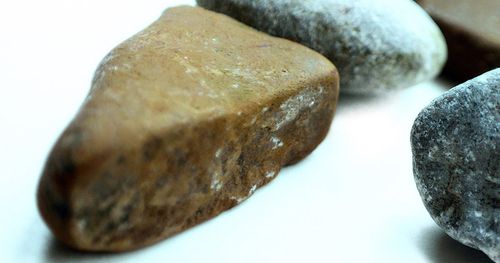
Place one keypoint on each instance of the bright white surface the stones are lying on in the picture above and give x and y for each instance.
(352, 200)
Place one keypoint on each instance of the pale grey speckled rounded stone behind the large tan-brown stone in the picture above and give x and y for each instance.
(377, 45)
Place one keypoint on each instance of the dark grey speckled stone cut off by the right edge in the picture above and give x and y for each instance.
(456, 162)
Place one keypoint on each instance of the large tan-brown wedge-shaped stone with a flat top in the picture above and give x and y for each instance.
(183, 121)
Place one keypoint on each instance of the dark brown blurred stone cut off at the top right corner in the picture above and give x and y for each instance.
(472, 30)
